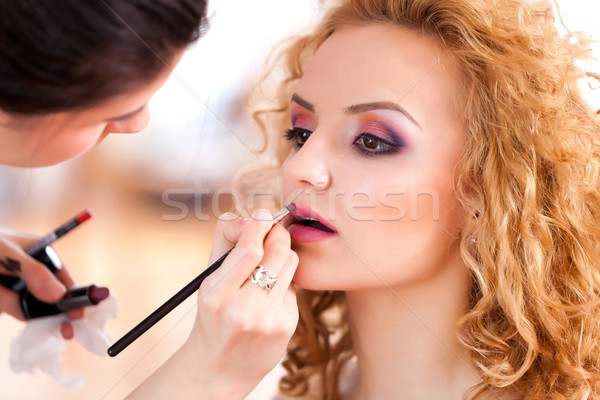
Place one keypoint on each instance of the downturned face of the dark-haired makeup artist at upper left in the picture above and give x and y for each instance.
(57, 137)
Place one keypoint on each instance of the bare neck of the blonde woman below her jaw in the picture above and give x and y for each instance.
(405, 339)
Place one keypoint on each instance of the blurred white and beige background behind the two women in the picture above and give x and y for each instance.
(156, 195)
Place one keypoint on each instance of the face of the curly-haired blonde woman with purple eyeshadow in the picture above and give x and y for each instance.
(377, 138)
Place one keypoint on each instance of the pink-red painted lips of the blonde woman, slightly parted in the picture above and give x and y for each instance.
(308, 226)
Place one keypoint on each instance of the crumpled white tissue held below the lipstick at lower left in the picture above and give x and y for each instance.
(40, 342)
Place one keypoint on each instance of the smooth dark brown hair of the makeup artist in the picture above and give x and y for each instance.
(69, 54)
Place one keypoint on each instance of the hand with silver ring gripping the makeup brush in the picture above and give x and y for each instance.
(241, 329)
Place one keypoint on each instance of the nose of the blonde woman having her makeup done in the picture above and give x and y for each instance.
(308, 166)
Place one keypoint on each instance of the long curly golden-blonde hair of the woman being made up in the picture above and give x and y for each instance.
(530, 172)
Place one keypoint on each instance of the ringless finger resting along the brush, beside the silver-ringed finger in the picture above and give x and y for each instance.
(246, 255)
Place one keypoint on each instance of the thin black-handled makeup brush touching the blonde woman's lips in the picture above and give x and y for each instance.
(180, 296)
